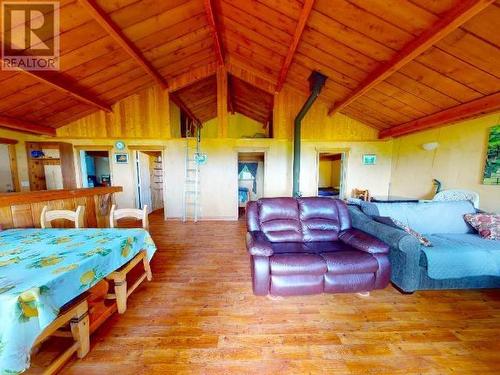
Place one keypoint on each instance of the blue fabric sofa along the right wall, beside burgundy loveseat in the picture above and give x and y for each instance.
(458, 259)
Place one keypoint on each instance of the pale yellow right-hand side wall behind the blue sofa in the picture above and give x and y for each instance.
(458, 162)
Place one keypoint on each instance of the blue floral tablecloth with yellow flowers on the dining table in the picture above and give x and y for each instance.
(43, 269)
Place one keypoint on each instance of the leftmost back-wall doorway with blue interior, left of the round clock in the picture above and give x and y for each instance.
(95, 168)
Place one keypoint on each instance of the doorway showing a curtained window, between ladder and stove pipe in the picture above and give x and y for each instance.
(250, 178)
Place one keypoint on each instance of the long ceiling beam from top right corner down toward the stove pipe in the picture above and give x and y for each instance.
(457, 16)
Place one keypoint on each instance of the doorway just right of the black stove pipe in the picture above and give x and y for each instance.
(331, 174)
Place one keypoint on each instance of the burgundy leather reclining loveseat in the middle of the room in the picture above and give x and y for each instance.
(307, 246)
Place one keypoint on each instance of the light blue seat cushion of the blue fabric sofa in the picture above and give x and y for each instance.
(460, 255)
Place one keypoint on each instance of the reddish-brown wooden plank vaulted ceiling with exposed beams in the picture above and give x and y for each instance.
(397, 65)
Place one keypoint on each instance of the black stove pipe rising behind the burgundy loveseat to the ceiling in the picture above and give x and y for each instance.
(316, 82)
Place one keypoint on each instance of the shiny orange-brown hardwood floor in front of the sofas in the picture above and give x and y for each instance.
(199, 316)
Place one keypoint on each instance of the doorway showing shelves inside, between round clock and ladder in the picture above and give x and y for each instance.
(149, 175)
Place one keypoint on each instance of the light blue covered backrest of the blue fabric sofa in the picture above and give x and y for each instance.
(425, 217)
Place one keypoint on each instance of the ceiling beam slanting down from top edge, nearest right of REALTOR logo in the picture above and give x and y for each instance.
(117, 34)
